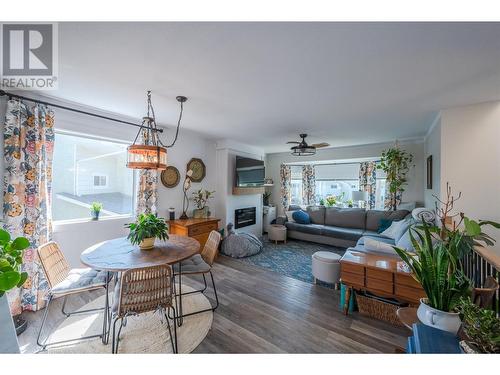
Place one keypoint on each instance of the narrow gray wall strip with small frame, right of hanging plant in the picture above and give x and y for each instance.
(432, 146)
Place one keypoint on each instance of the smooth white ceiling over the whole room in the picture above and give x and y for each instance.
(263, 83)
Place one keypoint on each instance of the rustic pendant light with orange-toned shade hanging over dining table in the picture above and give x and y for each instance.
(151, 153)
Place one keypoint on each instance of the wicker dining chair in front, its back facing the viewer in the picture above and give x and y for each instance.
(142, 290)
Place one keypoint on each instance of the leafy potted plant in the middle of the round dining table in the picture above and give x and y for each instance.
(146, 229)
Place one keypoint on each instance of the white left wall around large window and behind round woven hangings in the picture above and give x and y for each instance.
(75, 237)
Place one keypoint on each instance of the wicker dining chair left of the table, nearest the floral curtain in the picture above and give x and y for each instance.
(64, 282)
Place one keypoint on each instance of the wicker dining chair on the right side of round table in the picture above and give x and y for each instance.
(200, 264)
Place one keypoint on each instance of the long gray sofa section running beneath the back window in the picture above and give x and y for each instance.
(341, 227)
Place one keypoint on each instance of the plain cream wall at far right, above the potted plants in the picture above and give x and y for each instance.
(470, 162)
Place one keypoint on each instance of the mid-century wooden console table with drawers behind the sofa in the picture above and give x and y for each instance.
(378, 274)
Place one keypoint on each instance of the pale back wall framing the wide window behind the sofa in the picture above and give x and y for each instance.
(414, 190)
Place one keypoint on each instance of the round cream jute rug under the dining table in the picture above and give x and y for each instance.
(146, 333)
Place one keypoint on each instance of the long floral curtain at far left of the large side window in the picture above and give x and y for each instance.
(28, 148)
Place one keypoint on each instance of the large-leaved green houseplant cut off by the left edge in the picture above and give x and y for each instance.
(11, 259)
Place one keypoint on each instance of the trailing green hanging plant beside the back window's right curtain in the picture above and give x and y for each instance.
(396, 164)
